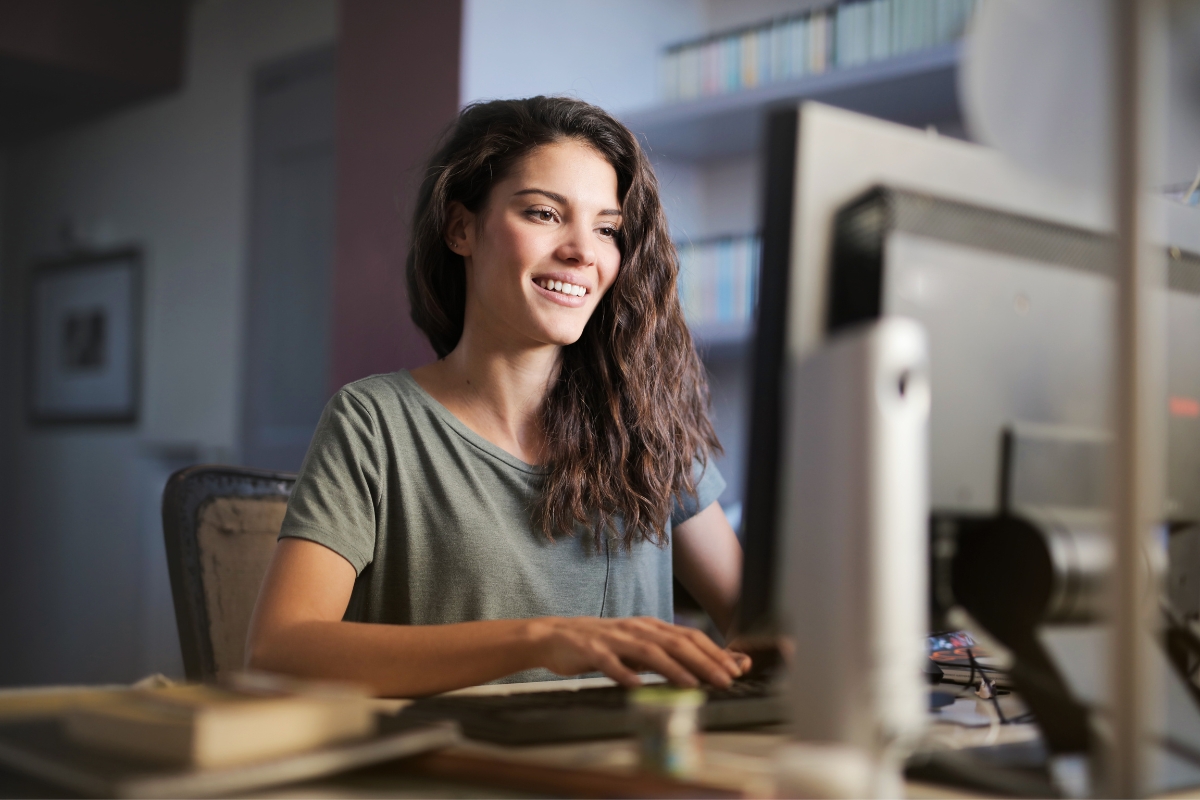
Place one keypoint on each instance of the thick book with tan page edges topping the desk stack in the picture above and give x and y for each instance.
(203, 727)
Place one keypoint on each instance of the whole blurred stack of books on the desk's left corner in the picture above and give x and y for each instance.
(193, 741)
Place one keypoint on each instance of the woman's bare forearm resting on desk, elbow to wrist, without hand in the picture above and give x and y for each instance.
(399, 660)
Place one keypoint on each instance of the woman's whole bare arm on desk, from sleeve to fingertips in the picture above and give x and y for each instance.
(298, 630)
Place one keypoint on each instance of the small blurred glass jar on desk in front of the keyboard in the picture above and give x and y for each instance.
(668, 729)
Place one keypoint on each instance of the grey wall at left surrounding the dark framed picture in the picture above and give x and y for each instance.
(83, 593)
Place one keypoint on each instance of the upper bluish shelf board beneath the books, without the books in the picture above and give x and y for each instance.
(914, 89)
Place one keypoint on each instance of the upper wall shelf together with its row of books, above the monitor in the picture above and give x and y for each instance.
(893, 59)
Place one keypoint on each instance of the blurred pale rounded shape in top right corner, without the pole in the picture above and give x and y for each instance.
(1035, 86)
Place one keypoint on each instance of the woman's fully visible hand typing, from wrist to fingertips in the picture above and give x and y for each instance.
(569, 646)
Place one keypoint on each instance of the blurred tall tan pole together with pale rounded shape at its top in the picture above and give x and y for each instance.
(1079, 92)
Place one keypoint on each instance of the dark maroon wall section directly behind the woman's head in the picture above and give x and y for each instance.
(398, 89)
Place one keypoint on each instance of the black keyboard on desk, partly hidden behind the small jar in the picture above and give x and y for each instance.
(597, 713)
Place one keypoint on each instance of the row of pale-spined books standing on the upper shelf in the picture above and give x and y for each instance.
(843, 35)
